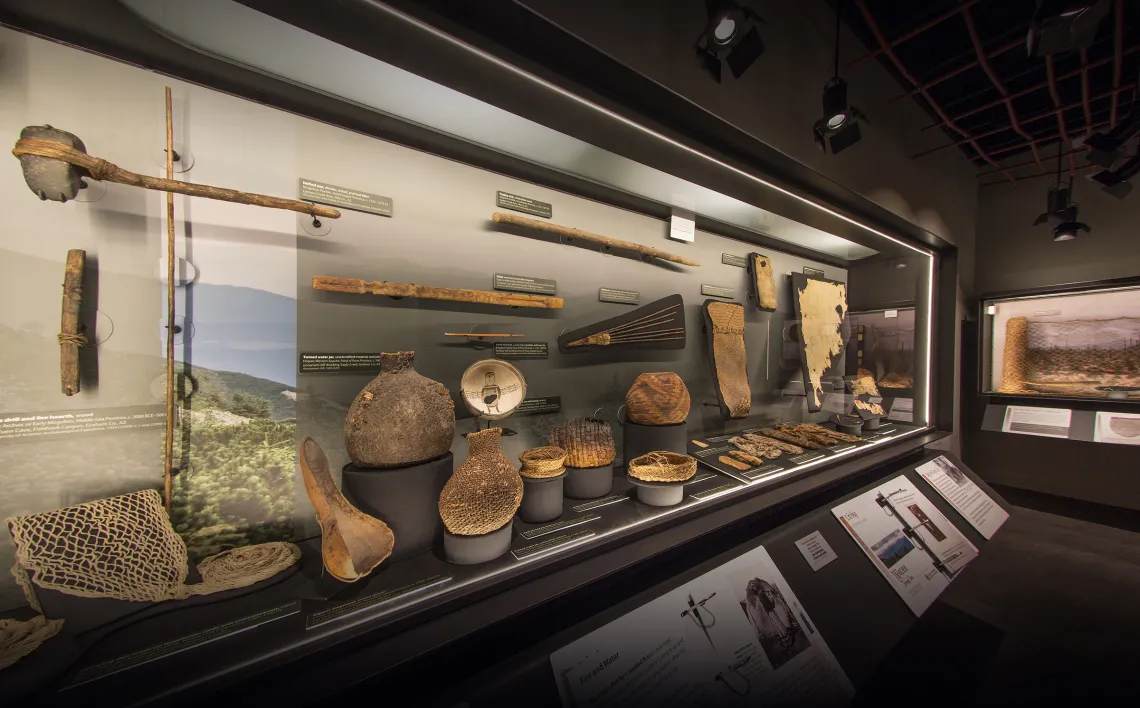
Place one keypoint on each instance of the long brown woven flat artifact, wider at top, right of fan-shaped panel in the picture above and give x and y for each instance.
(724, 323)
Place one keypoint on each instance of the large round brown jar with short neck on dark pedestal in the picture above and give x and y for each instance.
(401, 418)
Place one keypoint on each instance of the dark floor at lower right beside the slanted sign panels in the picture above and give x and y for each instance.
(1048, 615)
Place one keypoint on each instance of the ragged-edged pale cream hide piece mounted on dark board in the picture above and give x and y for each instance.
(821, 307)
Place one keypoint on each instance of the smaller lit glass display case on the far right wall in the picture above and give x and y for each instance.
(1079, 343)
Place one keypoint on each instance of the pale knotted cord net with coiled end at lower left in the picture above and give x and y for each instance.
(125, 548)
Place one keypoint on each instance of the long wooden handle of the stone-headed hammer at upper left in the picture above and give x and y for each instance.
(105, 172)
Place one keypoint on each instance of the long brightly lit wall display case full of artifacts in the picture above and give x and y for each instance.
(463, 347)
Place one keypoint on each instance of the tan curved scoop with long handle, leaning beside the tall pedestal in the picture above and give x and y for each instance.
(353, 544)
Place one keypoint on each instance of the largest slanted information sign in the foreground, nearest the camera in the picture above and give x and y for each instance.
(736, 631)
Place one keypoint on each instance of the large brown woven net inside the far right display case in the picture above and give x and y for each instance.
(1071, 357)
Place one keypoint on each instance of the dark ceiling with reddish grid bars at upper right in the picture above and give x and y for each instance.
(966, 63)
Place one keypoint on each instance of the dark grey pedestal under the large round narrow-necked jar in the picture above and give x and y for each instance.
(405, 499)
